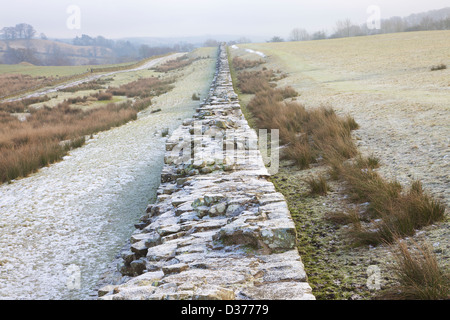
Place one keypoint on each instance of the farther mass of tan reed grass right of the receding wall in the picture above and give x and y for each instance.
(307, 134)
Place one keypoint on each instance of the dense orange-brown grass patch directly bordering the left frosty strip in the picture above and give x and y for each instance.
(49, 133)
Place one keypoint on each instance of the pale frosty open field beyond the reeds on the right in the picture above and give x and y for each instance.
(385, 82)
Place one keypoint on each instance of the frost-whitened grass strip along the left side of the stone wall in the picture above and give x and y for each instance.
(81, 210)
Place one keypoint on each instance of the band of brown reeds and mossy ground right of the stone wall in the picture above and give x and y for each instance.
(340, 204)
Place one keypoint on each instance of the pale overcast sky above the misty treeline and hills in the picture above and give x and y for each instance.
(174, 18)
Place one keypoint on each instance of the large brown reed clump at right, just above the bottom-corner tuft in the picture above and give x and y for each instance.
(394, 211)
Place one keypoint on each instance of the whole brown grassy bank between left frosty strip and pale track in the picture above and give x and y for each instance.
(47, 134)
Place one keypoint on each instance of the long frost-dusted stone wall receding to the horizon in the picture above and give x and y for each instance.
(218, 229)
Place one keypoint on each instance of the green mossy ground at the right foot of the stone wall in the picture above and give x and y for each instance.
(332, 271)
